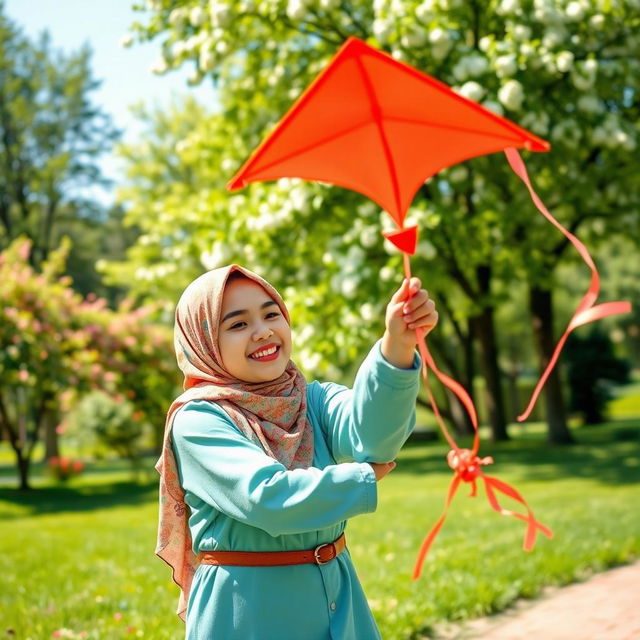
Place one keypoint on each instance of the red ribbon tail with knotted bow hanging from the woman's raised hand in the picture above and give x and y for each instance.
(466, 463)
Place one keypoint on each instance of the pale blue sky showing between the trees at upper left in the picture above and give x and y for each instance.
(125, 73)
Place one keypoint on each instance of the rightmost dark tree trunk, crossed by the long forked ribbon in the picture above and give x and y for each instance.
(541, 307)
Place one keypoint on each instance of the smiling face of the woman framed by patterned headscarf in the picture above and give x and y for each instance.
(254, 337)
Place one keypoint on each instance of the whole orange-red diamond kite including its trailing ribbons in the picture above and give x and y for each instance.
(380, 127)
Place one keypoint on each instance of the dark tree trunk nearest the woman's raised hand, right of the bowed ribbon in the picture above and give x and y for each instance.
(484, 329)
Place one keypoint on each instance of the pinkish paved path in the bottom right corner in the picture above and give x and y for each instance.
(605, 607)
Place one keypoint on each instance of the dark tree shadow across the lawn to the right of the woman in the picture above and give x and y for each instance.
(608, 453)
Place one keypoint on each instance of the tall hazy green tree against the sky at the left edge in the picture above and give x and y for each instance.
(51, 136)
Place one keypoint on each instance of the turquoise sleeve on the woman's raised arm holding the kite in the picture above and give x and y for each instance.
(371, 421)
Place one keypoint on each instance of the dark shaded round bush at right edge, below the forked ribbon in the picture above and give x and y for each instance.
(592, 370)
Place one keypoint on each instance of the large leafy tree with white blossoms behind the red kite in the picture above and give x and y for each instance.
(566, 71)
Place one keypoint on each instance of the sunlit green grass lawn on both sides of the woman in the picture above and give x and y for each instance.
(81, 557)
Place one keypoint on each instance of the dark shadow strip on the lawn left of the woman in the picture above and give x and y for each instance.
(46, 500)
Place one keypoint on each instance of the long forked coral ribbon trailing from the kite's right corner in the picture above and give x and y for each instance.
(586, 311)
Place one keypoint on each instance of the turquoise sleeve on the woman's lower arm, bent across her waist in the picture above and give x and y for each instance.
(221, 467)
